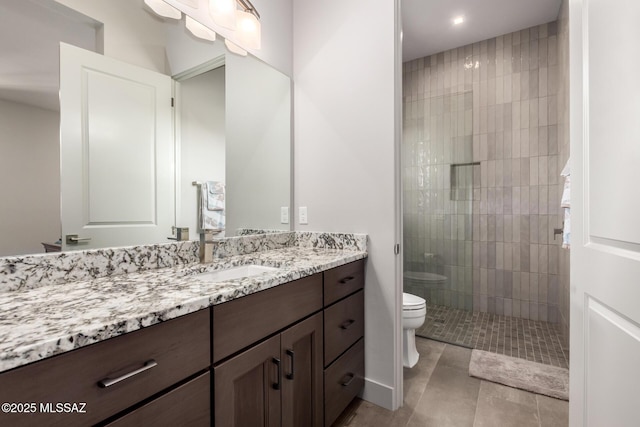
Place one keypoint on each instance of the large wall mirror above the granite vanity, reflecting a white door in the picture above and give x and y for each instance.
(230, 122)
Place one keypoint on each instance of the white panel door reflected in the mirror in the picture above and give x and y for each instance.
(117, 152)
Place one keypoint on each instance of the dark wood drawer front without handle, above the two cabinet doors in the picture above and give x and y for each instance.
(244, 321)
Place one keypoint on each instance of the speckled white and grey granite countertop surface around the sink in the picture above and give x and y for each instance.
(42, 322)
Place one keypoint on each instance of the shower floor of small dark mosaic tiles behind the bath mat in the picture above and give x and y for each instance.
(535, 341)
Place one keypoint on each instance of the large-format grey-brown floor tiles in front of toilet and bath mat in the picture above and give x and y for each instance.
(438, 392)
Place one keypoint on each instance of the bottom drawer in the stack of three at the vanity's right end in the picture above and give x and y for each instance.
(343, 380)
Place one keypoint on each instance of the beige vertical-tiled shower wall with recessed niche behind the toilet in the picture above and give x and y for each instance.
(483, 147)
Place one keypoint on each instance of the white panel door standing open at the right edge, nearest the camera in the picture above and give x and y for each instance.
(605, 247)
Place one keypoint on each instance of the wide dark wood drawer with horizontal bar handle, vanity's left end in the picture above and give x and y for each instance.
(180, 348)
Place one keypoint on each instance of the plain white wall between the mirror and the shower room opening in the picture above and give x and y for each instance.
(345, 65)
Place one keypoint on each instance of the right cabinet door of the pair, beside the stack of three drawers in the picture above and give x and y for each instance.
(302, 374)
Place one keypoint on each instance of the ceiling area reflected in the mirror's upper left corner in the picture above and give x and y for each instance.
(30, 32)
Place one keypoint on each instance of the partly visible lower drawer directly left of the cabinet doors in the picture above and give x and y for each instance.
(187, 405)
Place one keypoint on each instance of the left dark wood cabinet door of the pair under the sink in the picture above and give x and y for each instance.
(247, 387)
